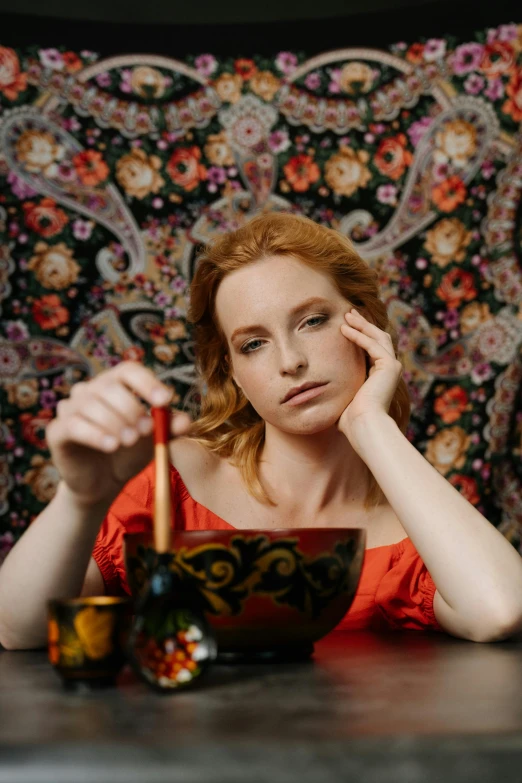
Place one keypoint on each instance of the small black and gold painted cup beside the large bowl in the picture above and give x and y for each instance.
(87, 639)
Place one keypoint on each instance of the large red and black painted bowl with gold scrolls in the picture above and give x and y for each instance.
(267, 593)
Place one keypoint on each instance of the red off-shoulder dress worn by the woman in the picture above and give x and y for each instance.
(395, 590)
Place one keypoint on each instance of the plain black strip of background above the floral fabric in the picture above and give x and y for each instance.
(176, 28)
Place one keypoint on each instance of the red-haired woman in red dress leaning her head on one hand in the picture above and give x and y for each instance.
(302, 425)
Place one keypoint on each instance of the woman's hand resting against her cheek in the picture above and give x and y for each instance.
(376, 393)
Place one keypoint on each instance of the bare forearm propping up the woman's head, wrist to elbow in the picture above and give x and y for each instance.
(477, 572)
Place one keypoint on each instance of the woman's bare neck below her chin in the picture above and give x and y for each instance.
(312, 472)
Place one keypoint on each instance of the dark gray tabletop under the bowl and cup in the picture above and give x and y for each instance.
(399, 707)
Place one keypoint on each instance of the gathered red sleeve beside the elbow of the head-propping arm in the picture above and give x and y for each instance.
(404, 597)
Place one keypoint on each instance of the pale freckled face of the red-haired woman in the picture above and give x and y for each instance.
(274, 347)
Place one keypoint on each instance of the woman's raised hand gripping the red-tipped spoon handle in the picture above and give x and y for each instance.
(102, 434)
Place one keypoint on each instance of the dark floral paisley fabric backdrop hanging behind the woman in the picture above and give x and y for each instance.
(114, 170)
